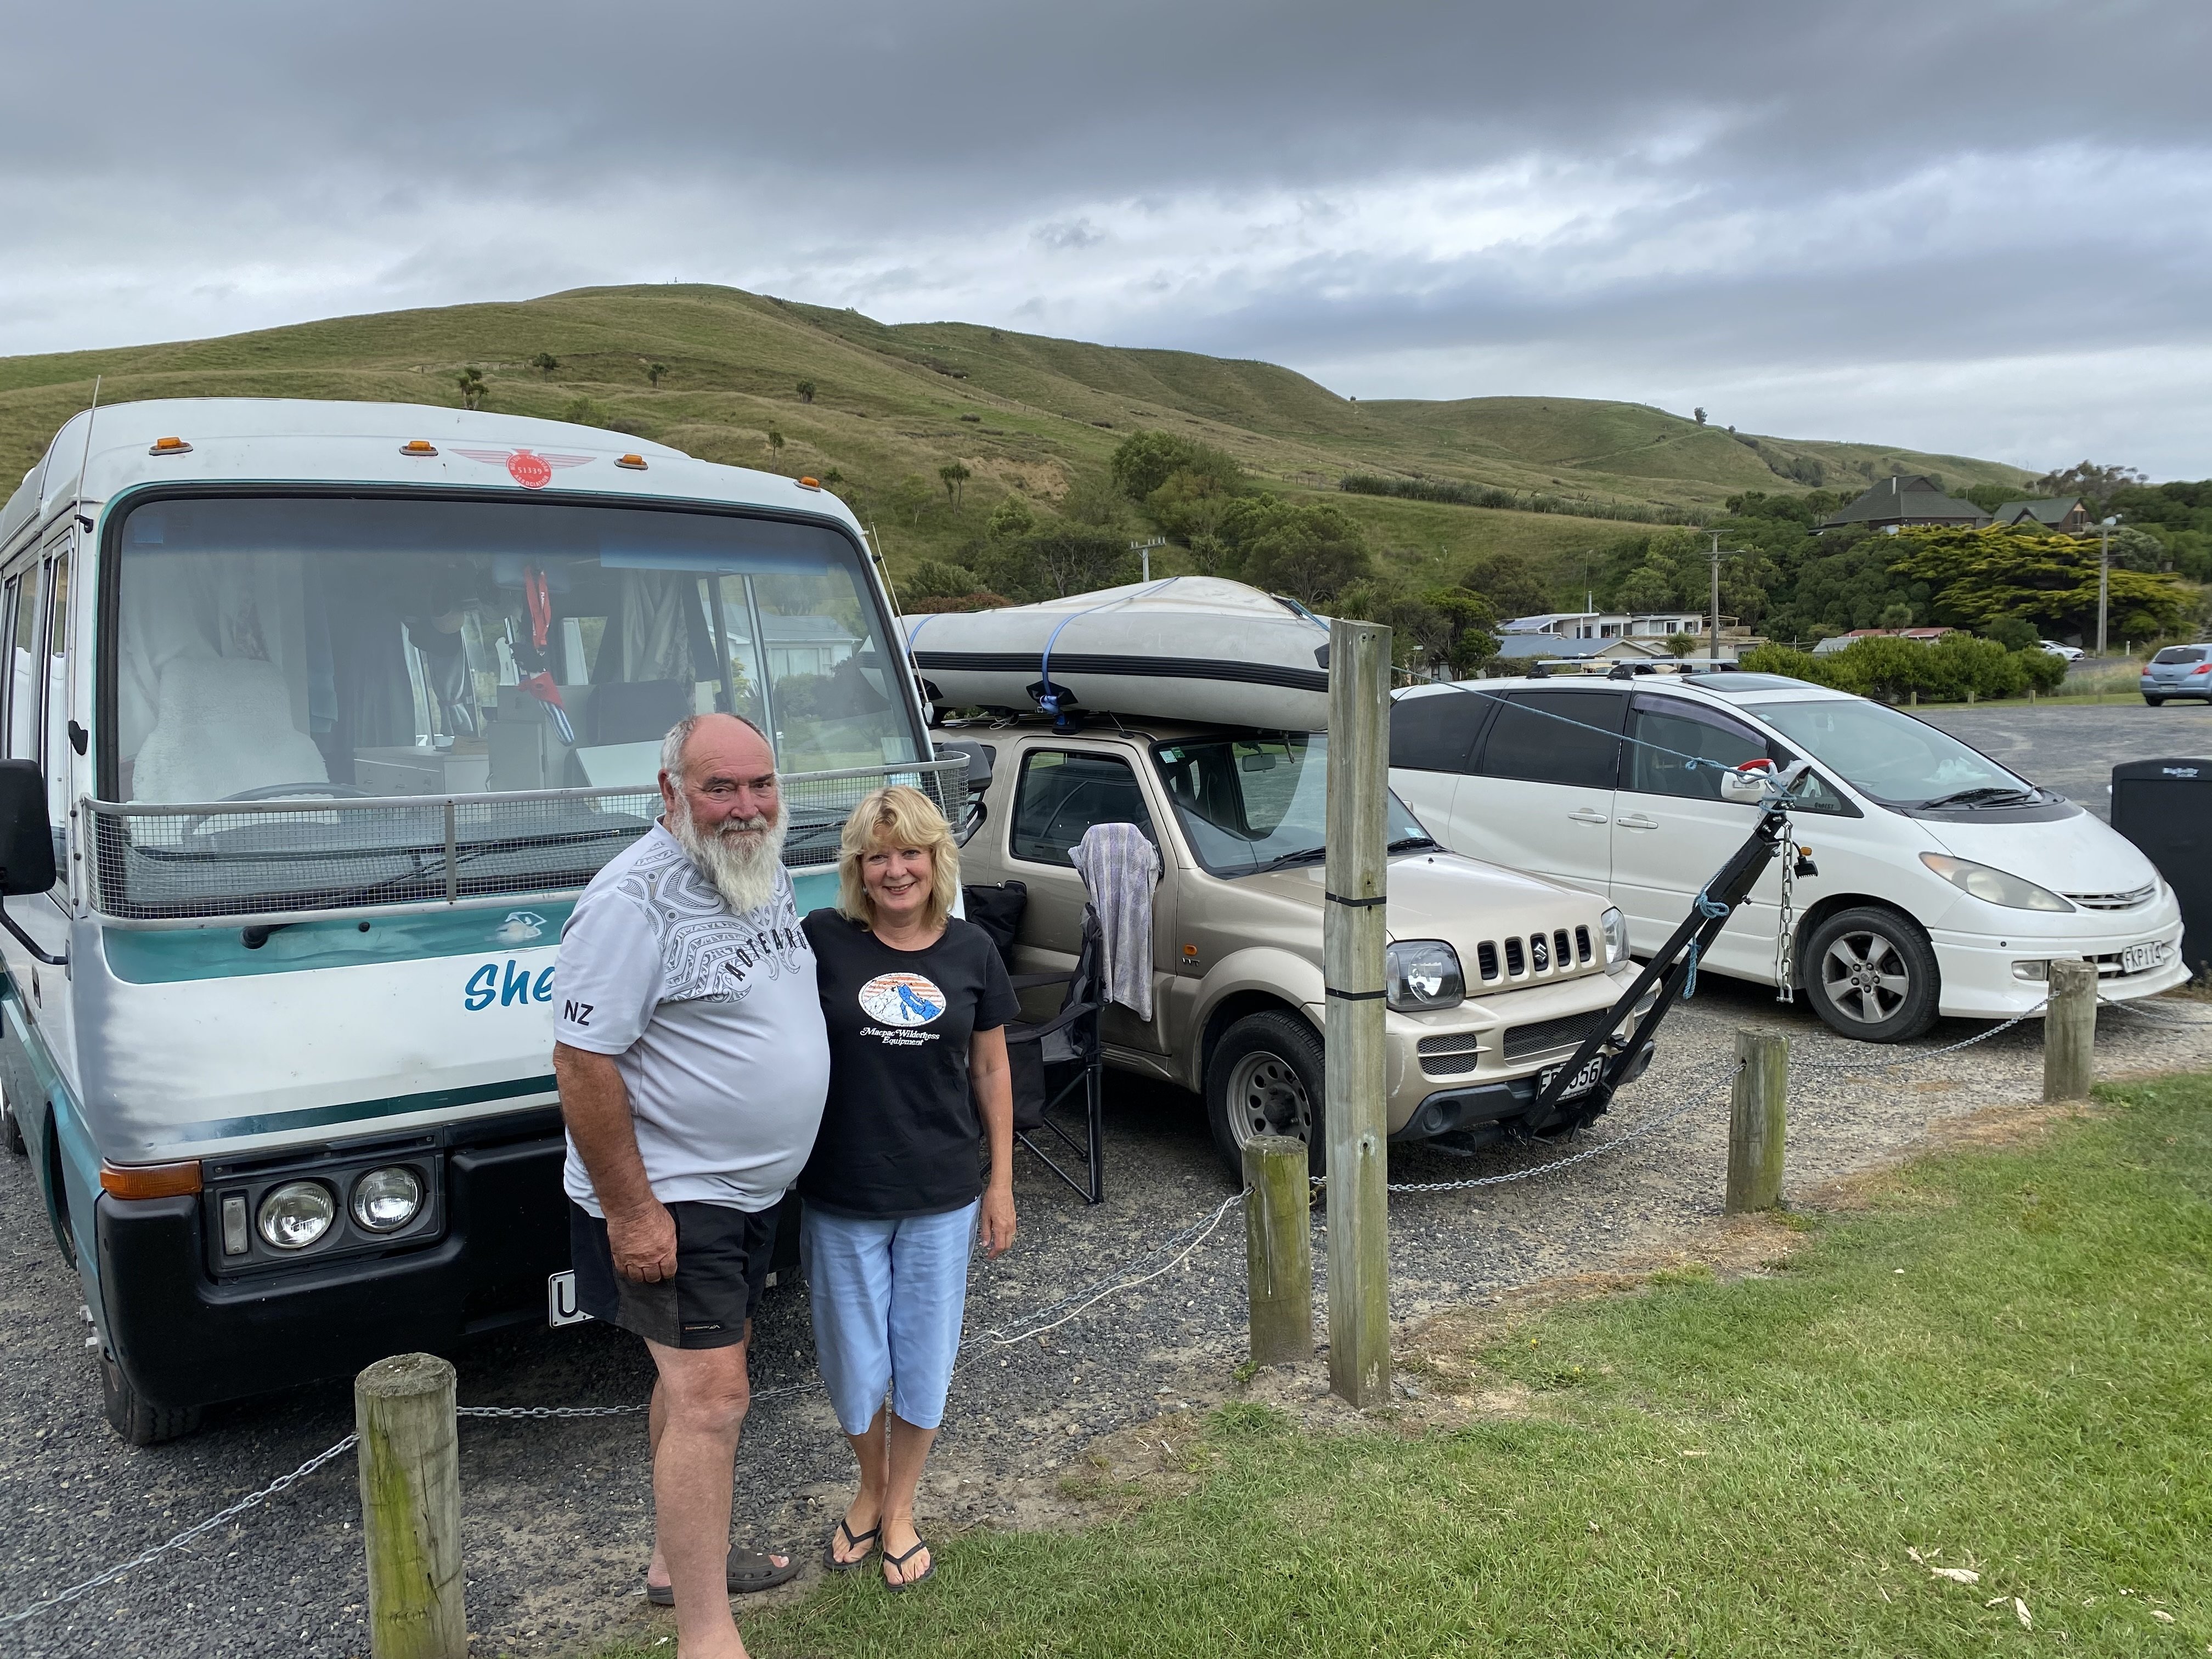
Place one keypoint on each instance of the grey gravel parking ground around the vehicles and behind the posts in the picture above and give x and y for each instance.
(559, 1516)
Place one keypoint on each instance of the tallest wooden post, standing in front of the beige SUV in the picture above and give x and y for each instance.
(1353, 1036)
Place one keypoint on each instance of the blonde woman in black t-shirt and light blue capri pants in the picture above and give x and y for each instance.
(917, 1005)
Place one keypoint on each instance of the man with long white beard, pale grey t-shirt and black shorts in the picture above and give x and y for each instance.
(693, 1065)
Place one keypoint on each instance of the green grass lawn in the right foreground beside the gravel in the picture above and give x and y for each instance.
(1965, 1417)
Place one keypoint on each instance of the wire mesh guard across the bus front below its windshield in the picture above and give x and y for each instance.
(242, 864)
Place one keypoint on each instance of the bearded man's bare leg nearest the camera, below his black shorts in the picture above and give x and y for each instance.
(700, 1404)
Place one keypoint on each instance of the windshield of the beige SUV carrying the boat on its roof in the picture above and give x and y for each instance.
(1262, 800)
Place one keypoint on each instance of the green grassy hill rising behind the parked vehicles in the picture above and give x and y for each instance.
(1027, 415)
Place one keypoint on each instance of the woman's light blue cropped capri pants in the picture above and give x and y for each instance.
(888, 1302)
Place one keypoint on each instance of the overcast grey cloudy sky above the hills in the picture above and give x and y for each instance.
(1974, 225)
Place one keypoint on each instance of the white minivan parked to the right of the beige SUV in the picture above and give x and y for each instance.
(1941, 884)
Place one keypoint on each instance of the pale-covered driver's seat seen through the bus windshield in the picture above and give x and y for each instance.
(222, 727)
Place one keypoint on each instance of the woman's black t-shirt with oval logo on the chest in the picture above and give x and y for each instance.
(901, 1129)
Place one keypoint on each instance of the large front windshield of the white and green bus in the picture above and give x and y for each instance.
(448, 647)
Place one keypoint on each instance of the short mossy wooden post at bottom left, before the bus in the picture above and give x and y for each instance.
(410, 1507)
